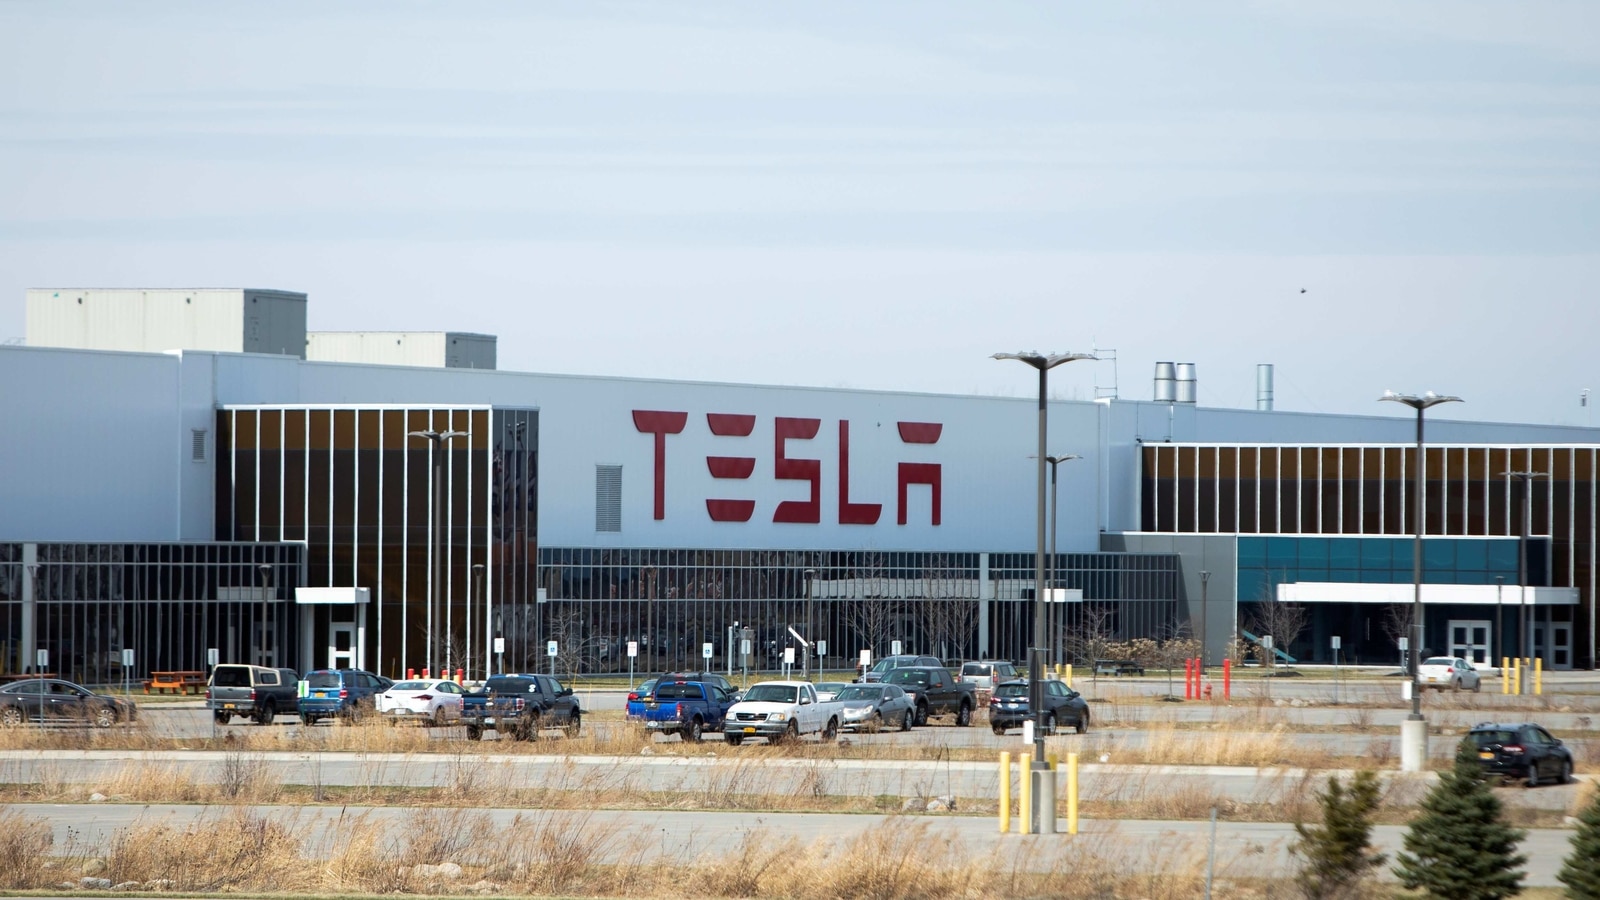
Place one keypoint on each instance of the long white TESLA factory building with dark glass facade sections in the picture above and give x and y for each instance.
(178, 473)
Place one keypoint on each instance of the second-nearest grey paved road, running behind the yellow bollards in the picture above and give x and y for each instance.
(713, 779)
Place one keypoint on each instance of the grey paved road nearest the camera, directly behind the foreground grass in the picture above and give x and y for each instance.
(1247, 850)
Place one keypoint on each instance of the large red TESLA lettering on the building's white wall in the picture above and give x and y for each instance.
(786, 430)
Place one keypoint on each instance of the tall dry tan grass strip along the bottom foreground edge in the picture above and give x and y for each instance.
(570, 854)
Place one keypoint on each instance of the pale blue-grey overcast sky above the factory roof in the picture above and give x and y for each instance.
(1367, 195)
